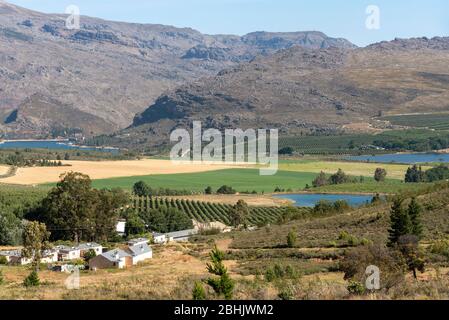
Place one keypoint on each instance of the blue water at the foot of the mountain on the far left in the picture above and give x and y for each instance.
(50, 144)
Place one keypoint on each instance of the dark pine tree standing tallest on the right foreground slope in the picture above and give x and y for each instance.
(400, 224)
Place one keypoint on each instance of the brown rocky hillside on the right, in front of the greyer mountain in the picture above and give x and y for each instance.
(303, 89)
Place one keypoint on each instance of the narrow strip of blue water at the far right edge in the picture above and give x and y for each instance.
(408, 158)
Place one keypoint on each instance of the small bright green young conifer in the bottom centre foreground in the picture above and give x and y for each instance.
(222, 284)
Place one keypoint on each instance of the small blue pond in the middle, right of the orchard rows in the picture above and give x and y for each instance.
(311, 199)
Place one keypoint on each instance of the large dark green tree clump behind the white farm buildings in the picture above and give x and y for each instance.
(75, 211)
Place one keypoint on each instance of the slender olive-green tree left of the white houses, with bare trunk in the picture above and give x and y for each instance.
(35, 242)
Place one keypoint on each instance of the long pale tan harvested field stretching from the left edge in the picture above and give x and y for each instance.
(106, 169)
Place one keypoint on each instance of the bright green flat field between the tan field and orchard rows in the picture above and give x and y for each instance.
(241, 180)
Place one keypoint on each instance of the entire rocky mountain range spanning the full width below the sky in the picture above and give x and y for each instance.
(135, 83)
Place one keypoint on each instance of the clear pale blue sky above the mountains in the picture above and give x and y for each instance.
(337, 18)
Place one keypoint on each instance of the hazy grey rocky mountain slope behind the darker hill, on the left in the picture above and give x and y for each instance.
(109, 71)
